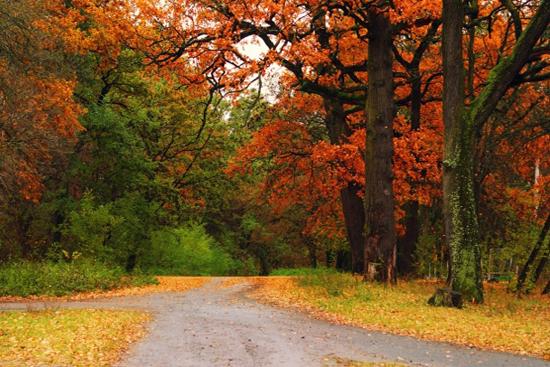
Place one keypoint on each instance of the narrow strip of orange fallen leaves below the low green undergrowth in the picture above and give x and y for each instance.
(165, 284)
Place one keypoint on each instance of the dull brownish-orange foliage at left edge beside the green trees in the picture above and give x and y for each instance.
(38, 116)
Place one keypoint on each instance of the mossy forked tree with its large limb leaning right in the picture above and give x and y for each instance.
(463, 124)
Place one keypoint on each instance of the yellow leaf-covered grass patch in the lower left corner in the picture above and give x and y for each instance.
(68, 337)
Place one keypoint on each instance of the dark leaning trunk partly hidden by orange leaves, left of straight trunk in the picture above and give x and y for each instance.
(352, 205)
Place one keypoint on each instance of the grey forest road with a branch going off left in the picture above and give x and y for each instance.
(215, 326)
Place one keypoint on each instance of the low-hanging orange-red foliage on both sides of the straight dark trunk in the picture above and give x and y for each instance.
(310, 174)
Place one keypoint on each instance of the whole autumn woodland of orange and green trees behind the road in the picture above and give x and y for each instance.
(391, 139)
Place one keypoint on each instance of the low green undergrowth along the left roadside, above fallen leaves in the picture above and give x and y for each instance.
(63, 278)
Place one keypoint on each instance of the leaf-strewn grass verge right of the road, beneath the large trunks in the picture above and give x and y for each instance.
(502, 323)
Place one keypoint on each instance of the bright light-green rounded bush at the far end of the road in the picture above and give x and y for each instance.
(187, 250)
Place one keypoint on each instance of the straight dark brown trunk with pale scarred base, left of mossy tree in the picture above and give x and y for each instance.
(380, 237)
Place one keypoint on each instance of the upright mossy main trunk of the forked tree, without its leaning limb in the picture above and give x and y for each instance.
(461, 226)
